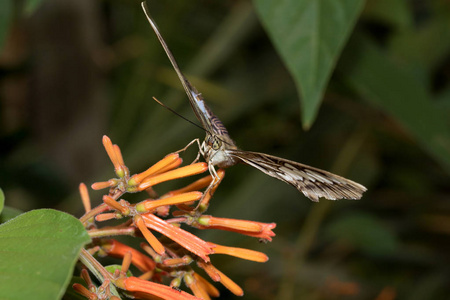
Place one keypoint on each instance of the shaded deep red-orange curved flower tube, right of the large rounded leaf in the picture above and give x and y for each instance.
(141, 261)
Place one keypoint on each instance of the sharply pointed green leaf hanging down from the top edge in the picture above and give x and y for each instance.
(309, 35)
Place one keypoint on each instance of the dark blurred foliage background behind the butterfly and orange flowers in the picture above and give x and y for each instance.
(72, 71)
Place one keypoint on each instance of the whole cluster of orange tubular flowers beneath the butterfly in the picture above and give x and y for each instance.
(173, 254)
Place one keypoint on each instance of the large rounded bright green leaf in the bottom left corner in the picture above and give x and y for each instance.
(39, 250)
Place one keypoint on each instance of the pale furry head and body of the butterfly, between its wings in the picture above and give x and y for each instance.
(216, 148)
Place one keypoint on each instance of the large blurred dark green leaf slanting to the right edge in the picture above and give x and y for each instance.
(394, 90)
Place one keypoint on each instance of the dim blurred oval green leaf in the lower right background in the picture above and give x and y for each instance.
(364, 232)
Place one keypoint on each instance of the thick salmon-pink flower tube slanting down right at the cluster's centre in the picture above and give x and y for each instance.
(185, 239)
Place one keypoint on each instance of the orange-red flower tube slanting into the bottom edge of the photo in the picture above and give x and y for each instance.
(143, 289)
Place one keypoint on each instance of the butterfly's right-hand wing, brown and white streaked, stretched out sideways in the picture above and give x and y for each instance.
(312, 182)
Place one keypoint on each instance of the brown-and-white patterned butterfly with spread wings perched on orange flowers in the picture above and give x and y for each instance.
(218, 149)
